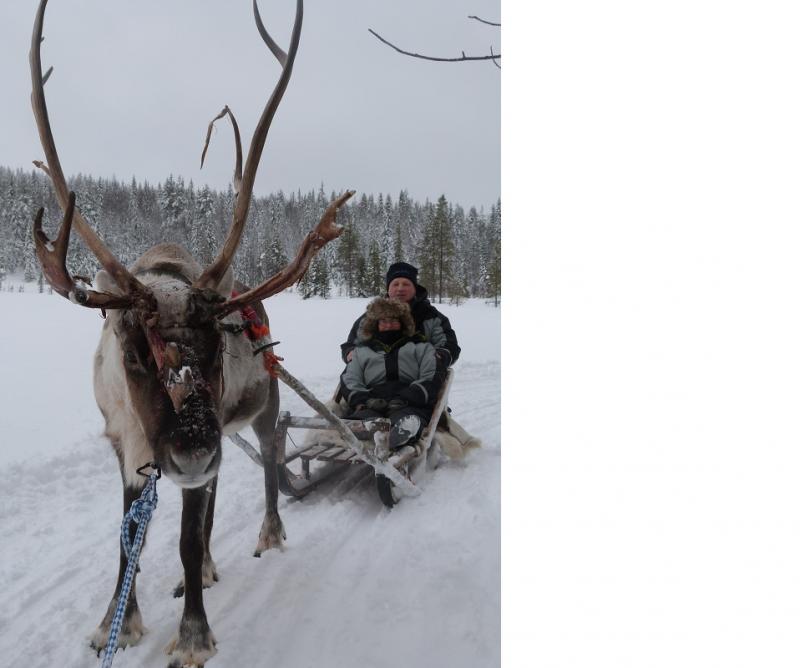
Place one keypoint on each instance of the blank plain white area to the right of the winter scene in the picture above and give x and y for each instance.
(650, 188)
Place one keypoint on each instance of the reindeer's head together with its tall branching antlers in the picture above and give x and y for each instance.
(167, 323)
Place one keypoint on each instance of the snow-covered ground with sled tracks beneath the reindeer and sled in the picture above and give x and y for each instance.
(357, 585)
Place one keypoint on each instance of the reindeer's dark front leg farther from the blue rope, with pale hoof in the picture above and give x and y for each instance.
(194, 644)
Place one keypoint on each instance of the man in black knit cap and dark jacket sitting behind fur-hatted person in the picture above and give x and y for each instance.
(401, 285)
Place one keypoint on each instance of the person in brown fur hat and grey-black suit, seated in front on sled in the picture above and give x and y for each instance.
(392, 371)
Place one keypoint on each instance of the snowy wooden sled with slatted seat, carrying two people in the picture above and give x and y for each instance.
(305, 468)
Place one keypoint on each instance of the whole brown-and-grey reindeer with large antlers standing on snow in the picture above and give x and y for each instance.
(173, 371)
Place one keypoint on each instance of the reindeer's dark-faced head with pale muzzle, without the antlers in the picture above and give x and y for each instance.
(171, 359)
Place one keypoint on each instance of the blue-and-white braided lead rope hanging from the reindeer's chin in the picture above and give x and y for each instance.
(140, 512)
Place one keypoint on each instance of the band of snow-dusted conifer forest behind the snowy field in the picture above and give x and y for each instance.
(457, 251)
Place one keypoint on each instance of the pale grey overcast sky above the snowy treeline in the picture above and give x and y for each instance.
(136, 83)
